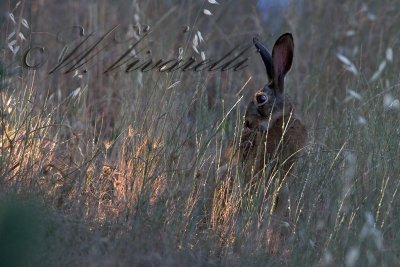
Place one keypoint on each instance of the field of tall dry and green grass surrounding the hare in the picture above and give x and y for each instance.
(120, 168)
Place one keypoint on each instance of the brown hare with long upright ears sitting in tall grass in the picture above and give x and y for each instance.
(273, 133)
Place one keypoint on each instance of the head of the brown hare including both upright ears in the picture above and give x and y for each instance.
(270, 102)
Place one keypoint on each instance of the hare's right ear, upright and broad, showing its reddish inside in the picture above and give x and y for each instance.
(282, 58)
